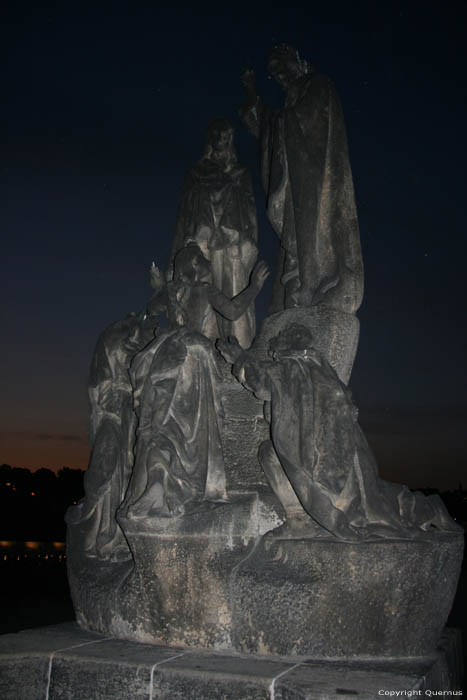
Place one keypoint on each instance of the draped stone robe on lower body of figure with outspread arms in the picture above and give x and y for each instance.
(179, 461)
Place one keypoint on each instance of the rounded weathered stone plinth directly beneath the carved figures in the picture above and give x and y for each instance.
(213, 580)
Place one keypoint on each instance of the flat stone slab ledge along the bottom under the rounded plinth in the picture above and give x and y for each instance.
(63, 662)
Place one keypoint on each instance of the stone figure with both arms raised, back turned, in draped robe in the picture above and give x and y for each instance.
(179, 462)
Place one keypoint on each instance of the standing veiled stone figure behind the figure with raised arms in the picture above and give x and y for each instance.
(217, 212)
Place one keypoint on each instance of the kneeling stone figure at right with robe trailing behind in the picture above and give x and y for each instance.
(318, 462)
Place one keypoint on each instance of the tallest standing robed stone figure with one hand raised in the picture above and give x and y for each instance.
(308, 184)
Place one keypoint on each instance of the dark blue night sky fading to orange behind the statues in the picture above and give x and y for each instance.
(104, 110)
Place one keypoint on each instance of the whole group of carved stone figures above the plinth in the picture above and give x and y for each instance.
(157, 418)
